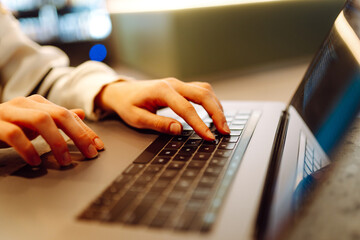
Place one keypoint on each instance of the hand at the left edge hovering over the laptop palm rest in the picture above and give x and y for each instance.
(23, 119)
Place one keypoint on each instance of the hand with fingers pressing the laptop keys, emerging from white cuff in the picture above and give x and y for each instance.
(137, 102)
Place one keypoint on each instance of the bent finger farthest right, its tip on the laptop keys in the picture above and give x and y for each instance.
(205, 98)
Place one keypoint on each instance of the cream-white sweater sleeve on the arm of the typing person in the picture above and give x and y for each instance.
(26, 67)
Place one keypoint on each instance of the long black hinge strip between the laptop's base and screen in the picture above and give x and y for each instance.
(271, 176)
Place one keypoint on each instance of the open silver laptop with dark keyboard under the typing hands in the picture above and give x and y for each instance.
(249, 185)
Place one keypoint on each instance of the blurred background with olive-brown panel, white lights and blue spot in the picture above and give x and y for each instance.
(185, 39)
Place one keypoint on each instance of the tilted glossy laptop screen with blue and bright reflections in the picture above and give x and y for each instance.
(328, 98)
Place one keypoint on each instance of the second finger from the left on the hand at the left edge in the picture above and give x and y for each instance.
(45, 126)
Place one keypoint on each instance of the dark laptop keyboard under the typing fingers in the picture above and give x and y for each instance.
(178, 182)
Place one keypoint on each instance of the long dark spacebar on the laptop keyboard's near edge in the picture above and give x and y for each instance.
(151, 151)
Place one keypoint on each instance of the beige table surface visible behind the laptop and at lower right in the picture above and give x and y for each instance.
(334, 211)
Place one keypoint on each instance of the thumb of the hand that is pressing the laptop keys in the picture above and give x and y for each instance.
(144, 119)
